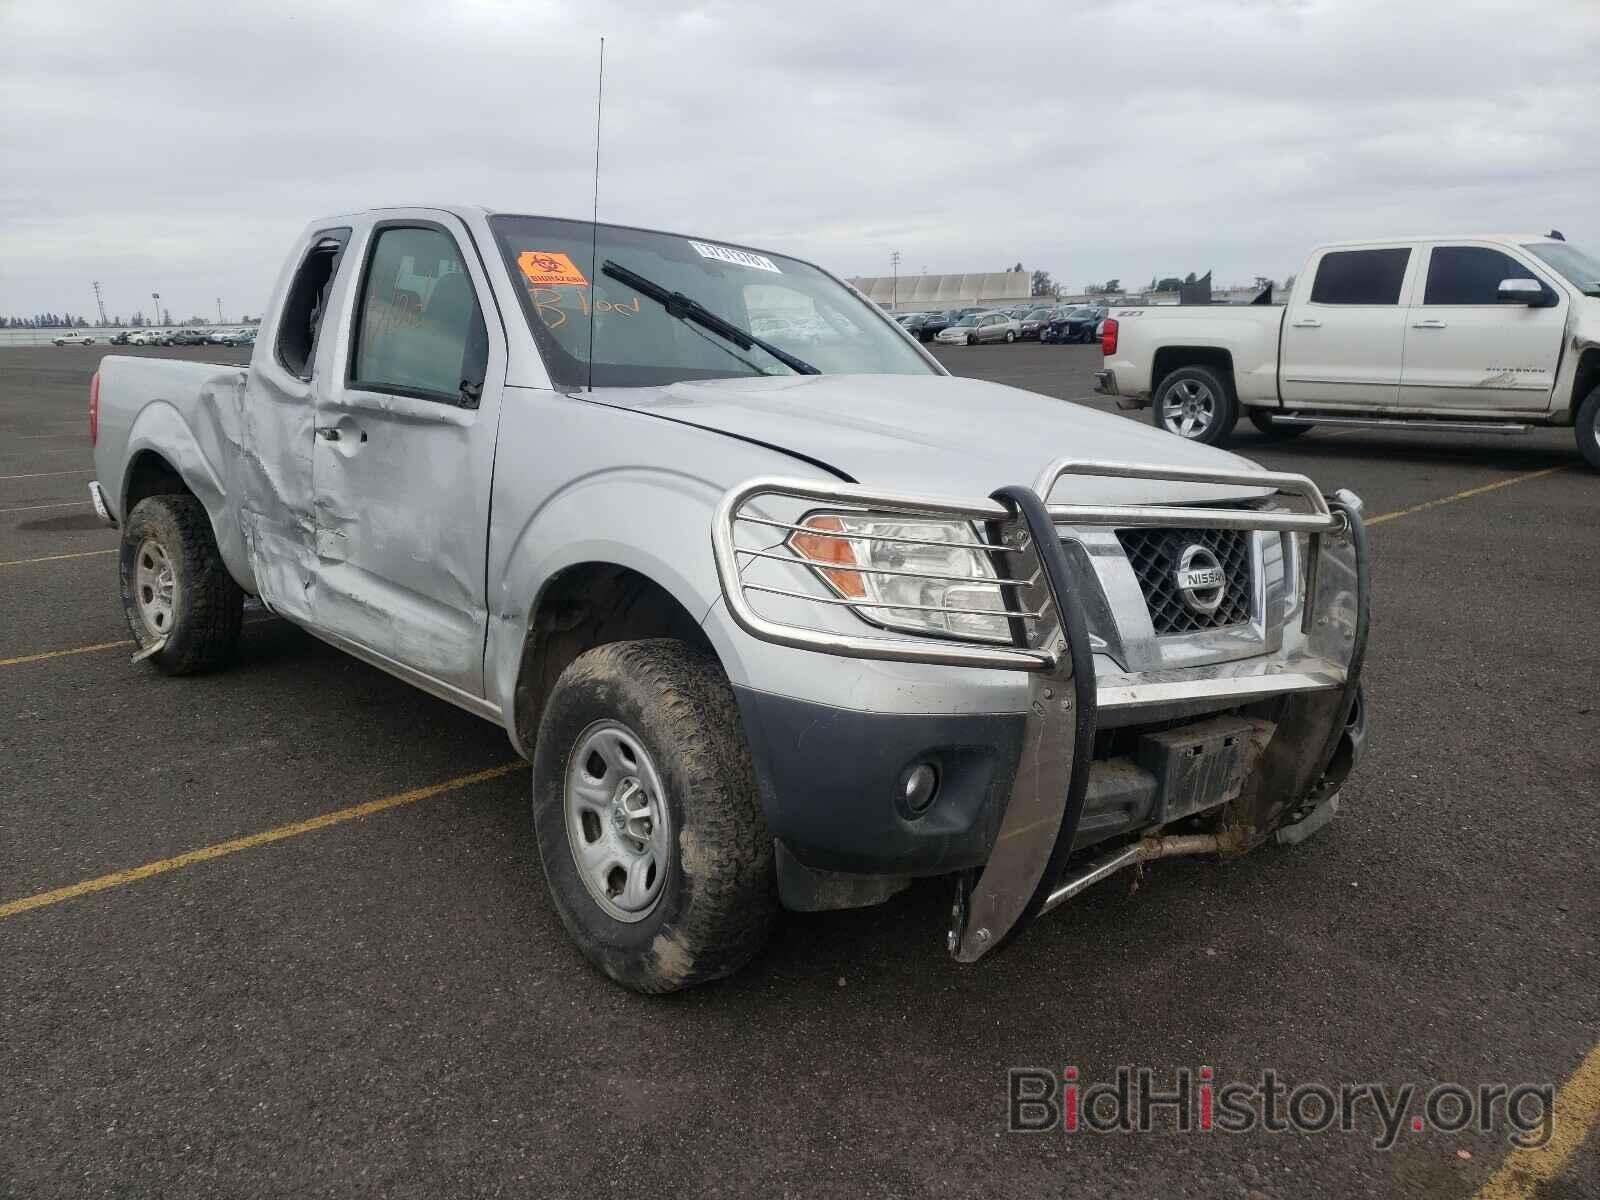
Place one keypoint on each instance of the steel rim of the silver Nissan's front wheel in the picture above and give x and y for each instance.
(618, 823)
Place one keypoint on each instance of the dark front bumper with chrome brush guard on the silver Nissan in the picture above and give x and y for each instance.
(1031, 791)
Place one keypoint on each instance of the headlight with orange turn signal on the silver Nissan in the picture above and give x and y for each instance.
(908, 574)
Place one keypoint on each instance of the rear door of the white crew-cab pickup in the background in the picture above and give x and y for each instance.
(1345, 343)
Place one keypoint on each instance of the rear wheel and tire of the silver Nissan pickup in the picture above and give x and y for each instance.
(175, 586)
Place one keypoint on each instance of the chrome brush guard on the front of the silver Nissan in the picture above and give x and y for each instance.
(1017, 530)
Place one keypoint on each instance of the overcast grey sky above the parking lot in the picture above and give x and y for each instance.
(178, 148)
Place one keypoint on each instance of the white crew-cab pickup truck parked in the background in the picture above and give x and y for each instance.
(1489, 334)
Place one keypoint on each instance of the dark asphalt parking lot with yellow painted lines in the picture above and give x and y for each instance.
(388, 1006)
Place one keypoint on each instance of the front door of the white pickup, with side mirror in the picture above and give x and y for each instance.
(1466, 350)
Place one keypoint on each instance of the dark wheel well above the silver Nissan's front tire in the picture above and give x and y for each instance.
(585, 607)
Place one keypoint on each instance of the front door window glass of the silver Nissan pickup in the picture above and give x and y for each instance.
(420, 330)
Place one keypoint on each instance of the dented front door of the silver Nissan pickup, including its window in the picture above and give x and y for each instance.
(404, 457)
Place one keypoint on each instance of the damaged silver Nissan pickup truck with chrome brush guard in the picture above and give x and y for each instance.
(782, 622)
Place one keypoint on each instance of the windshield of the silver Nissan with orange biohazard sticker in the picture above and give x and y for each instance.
(638, 343)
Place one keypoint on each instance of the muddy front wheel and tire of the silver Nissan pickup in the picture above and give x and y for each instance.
(649, 818)
